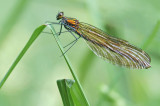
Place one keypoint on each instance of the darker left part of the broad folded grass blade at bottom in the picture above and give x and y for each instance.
(64, 87)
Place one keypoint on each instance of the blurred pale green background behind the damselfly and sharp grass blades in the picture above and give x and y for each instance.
(33, 82)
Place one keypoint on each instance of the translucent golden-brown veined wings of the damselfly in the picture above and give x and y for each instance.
(117, 51)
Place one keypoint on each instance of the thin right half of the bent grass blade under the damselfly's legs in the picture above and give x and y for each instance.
(83, 99)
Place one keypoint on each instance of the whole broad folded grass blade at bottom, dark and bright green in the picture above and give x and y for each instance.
(69, 93)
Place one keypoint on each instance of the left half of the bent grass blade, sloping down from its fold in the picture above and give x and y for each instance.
(29, 43)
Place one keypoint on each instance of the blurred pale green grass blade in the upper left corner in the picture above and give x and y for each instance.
(12, 19)
